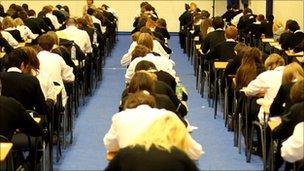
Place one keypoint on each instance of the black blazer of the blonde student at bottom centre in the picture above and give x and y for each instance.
(138, 158)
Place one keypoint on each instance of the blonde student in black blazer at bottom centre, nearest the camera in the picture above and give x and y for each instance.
(162, 146)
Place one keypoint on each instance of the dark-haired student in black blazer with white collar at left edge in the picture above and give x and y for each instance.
(24, 88)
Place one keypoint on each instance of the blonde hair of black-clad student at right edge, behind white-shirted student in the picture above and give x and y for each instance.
(292, 72)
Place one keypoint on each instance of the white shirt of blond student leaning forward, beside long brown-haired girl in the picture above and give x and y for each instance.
(268, 81)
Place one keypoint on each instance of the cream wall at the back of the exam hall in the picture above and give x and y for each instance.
(170, 9)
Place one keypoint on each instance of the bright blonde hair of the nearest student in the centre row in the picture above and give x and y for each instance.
(166, 132)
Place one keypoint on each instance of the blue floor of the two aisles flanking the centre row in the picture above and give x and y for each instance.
(88, 152)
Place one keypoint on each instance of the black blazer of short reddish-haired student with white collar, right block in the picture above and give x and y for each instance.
(223, 51)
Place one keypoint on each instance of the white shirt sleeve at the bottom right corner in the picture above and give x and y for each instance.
(292, 149)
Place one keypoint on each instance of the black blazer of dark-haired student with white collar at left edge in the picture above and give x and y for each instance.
(24, 88)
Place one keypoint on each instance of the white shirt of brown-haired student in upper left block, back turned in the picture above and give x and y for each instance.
(80, 37)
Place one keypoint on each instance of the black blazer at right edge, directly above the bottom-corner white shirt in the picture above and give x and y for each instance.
(294, 116)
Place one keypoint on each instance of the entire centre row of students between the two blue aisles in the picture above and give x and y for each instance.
(149, 105)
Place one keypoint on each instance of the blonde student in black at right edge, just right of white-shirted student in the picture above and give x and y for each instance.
(281, 103)
